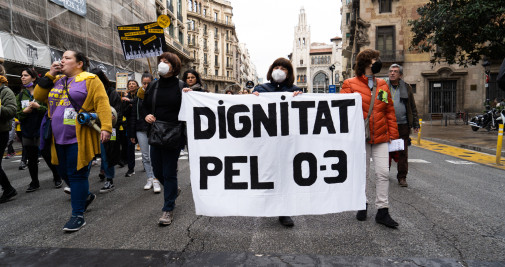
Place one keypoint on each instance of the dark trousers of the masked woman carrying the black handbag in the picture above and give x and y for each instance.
(164, 162)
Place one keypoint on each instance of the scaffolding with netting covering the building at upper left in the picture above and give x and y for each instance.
(45, 28)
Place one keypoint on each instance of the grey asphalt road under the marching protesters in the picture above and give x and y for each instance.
(451, 213)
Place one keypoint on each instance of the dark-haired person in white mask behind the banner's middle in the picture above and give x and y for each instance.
(281, 77)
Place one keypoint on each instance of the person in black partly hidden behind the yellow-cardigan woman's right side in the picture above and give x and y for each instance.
(110, 149)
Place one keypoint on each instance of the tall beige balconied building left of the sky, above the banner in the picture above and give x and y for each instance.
(213, 43)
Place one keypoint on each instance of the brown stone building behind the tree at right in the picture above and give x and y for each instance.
(383, 25)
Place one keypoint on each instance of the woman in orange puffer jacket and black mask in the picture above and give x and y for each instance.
(383, 128)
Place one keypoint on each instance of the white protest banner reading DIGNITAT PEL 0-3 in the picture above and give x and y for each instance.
(275, 154)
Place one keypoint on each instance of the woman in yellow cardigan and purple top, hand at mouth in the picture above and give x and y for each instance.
(74, 145)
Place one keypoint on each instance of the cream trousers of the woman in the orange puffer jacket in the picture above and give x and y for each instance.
(380, 156)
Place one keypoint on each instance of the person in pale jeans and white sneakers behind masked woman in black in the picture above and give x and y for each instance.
(138, 127)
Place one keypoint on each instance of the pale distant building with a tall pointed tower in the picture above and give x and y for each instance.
(316, 65)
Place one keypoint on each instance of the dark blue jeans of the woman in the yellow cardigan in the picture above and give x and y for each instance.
(79, 185)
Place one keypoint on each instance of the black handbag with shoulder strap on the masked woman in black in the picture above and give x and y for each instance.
(168, 135)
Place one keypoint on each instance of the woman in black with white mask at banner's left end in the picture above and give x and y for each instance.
(162, 102)
